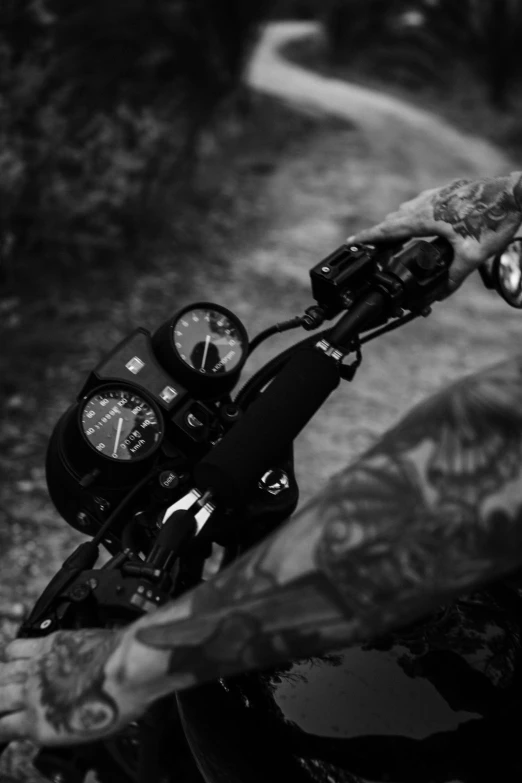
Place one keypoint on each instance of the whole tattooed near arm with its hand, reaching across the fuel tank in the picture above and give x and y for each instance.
(433, 510)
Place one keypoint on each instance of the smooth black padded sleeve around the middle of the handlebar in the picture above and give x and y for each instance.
(270, 424)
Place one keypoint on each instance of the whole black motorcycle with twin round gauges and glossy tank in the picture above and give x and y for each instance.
(155, 461)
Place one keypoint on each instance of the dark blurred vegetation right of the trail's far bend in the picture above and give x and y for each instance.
(462, 60)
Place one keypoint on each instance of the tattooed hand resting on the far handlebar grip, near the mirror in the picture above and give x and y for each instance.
(479, 218)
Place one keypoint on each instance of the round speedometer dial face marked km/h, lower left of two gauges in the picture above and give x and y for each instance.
(121, 425)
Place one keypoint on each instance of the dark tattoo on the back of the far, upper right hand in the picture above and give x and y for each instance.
(474, 209)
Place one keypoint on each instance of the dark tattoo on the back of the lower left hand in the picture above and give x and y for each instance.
(72, 677)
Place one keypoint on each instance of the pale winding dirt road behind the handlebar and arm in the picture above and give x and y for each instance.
(383, 152)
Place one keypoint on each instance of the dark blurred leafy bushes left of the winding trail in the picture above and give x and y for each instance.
(103, 109)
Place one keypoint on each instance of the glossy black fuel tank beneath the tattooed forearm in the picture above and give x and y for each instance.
(437, 702)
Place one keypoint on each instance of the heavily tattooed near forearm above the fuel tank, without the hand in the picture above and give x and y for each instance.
(433, 509)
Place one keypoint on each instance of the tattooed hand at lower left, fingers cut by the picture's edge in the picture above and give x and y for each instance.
(60, 689)
